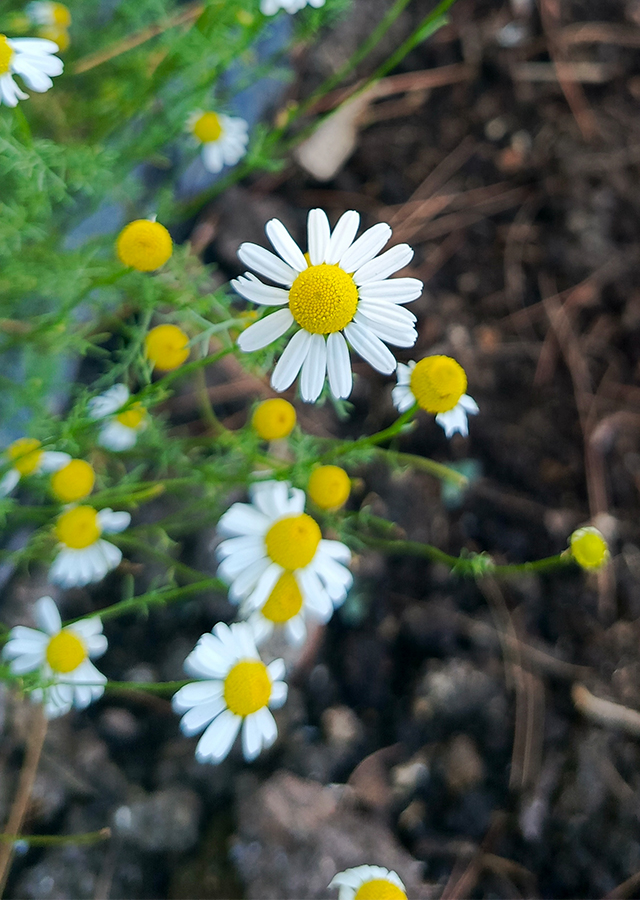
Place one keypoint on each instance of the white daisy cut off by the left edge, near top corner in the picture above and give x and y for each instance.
(33, 60)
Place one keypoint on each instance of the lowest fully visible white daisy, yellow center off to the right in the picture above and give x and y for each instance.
(238, 691)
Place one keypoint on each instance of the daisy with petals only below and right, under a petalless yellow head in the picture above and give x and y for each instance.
(84, 556)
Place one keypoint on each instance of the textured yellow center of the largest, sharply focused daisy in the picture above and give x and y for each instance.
(323, 299)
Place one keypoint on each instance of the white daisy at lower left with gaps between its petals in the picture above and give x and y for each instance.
(62, 655)
